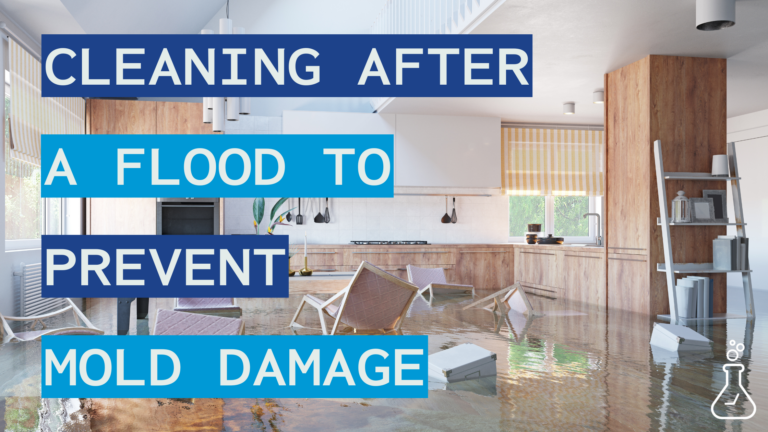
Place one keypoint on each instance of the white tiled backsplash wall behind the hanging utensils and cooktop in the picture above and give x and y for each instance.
(480, 219)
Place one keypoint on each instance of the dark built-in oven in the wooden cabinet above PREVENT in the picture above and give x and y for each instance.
(187, 216)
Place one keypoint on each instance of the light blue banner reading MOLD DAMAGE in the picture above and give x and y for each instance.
(234, 366)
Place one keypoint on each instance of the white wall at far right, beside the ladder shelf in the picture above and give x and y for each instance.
(750, 132)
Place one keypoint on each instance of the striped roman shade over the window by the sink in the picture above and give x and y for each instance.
(552, 162)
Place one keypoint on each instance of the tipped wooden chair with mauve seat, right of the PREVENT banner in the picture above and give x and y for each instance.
(373, 301)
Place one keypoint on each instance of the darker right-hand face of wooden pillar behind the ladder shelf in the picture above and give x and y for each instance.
(689, 116)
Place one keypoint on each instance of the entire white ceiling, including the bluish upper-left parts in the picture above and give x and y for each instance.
(575, 42)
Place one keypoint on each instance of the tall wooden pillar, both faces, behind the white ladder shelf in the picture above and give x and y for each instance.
(682, 102)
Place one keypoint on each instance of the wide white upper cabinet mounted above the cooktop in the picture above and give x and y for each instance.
(430, 151)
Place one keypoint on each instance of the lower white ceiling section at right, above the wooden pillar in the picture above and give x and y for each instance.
(576, 42)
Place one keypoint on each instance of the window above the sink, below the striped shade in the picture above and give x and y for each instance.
(559, 215)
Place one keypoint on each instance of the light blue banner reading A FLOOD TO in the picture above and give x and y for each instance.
(226, 166)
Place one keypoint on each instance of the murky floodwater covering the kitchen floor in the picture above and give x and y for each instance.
(576, 368)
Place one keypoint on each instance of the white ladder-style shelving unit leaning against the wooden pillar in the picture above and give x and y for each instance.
(669, 266)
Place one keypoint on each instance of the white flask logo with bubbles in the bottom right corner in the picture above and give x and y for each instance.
(733, 402)
